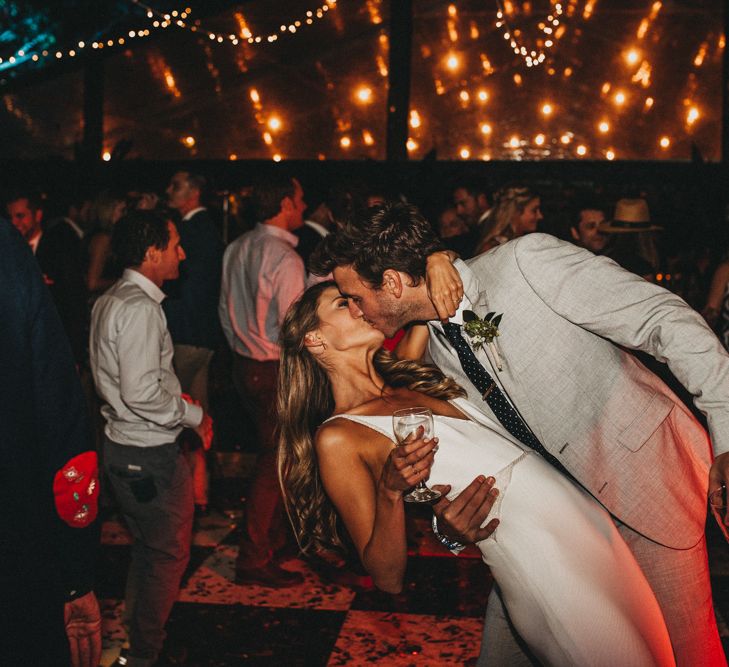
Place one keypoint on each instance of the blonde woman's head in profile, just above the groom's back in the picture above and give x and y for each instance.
(516, 212)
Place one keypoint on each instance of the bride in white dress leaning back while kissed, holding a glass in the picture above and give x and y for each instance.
(571, 586)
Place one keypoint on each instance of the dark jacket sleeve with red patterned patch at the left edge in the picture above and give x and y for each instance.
(44, 427)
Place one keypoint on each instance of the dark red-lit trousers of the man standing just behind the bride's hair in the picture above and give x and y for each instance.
(265, 529)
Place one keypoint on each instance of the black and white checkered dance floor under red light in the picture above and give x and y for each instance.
(437, 620)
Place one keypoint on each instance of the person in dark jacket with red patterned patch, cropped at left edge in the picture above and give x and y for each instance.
(49, 493)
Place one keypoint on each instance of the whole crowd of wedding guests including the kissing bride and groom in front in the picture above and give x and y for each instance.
(559, 406)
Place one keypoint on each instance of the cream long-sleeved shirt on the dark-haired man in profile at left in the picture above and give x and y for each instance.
(131, 352)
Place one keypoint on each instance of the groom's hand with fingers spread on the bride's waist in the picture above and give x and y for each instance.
(461, 518)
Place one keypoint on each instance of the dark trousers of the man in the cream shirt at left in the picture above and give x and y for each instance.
(153, 487)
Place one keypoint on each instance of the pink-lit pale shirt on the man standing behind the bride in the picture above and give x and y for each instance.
(262, 276)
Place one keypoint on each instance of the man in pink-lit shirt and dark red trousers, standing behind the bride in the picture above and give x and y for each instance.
(262, 276)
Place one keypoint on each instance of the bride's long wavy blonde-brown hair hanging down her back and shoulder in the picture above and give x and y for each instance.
(304, 401)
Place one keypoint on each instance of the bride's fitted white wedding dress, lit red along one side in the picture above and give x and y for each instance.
(571, 586)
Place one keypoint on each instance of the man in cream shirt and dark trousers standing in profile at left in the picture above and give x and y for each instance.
(131, 361)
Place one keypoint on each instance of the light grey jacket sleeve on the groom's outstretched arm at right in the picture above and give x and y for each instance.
(598, 295)
